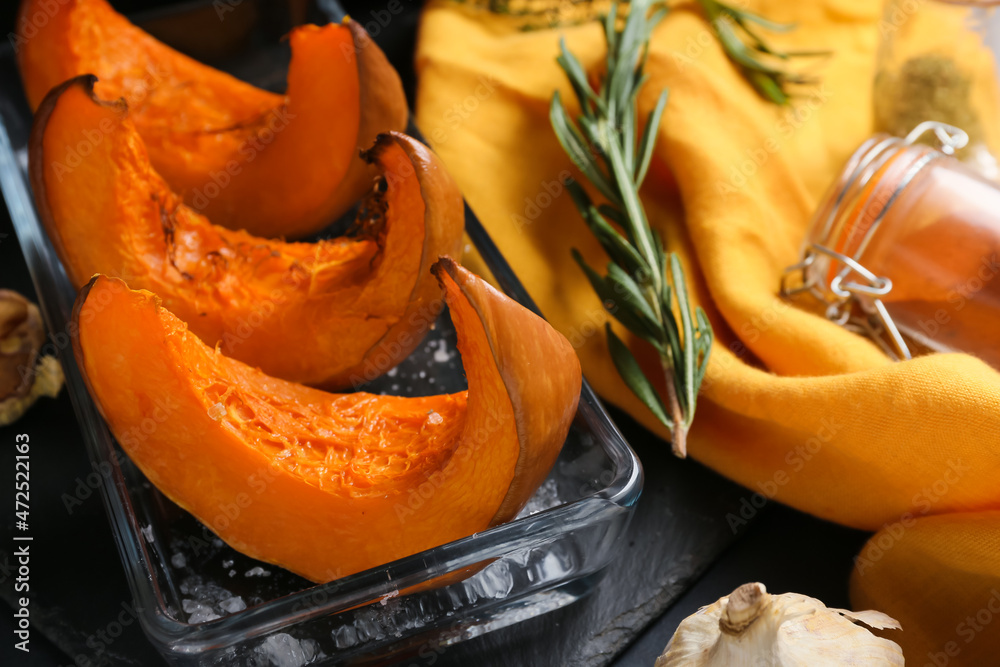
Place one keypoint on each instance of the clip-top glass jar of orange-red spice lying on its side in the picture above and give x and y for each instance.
(905, 247)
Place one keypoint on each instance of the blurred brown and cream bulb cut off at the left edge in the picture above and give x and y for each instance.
(23, 376)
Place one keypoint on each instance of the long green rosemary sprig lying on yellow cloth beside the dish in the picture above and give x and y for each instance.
(643, 283)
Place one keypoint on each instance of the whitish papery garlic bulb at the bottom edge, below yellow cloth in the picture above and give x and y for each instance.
(751, 628)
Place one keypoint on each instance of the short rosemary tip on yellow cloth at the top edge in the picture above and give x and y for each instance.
(736, 30)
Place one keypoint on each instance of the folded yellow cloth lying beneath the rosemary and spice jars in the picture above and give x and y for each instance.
(794, 407)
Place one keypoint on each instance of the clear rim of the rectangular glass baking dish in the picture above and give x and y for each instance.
(56, 296)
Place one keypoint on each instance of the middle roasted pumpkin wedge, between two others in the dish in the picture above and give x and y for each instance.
(360, 304)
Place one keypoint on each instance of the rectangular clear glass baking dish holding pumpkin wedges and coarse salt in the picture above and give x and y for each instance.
(202, 603)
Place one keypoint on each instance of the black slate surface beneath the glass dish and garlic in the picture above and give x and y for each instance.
(679, 533)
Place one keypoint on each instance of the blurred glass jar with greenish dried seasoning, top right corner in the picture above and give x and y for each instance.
(938, 60)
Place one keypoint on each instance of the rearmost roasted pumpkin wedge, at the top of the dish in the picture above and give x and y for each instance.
(275, 165)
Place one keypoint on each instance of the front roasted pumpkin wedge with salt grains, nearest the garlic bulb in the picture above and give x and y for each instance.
(326, 483)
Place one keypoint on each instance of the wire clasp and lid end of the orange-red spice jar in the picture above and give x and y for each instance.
(853, 294)
